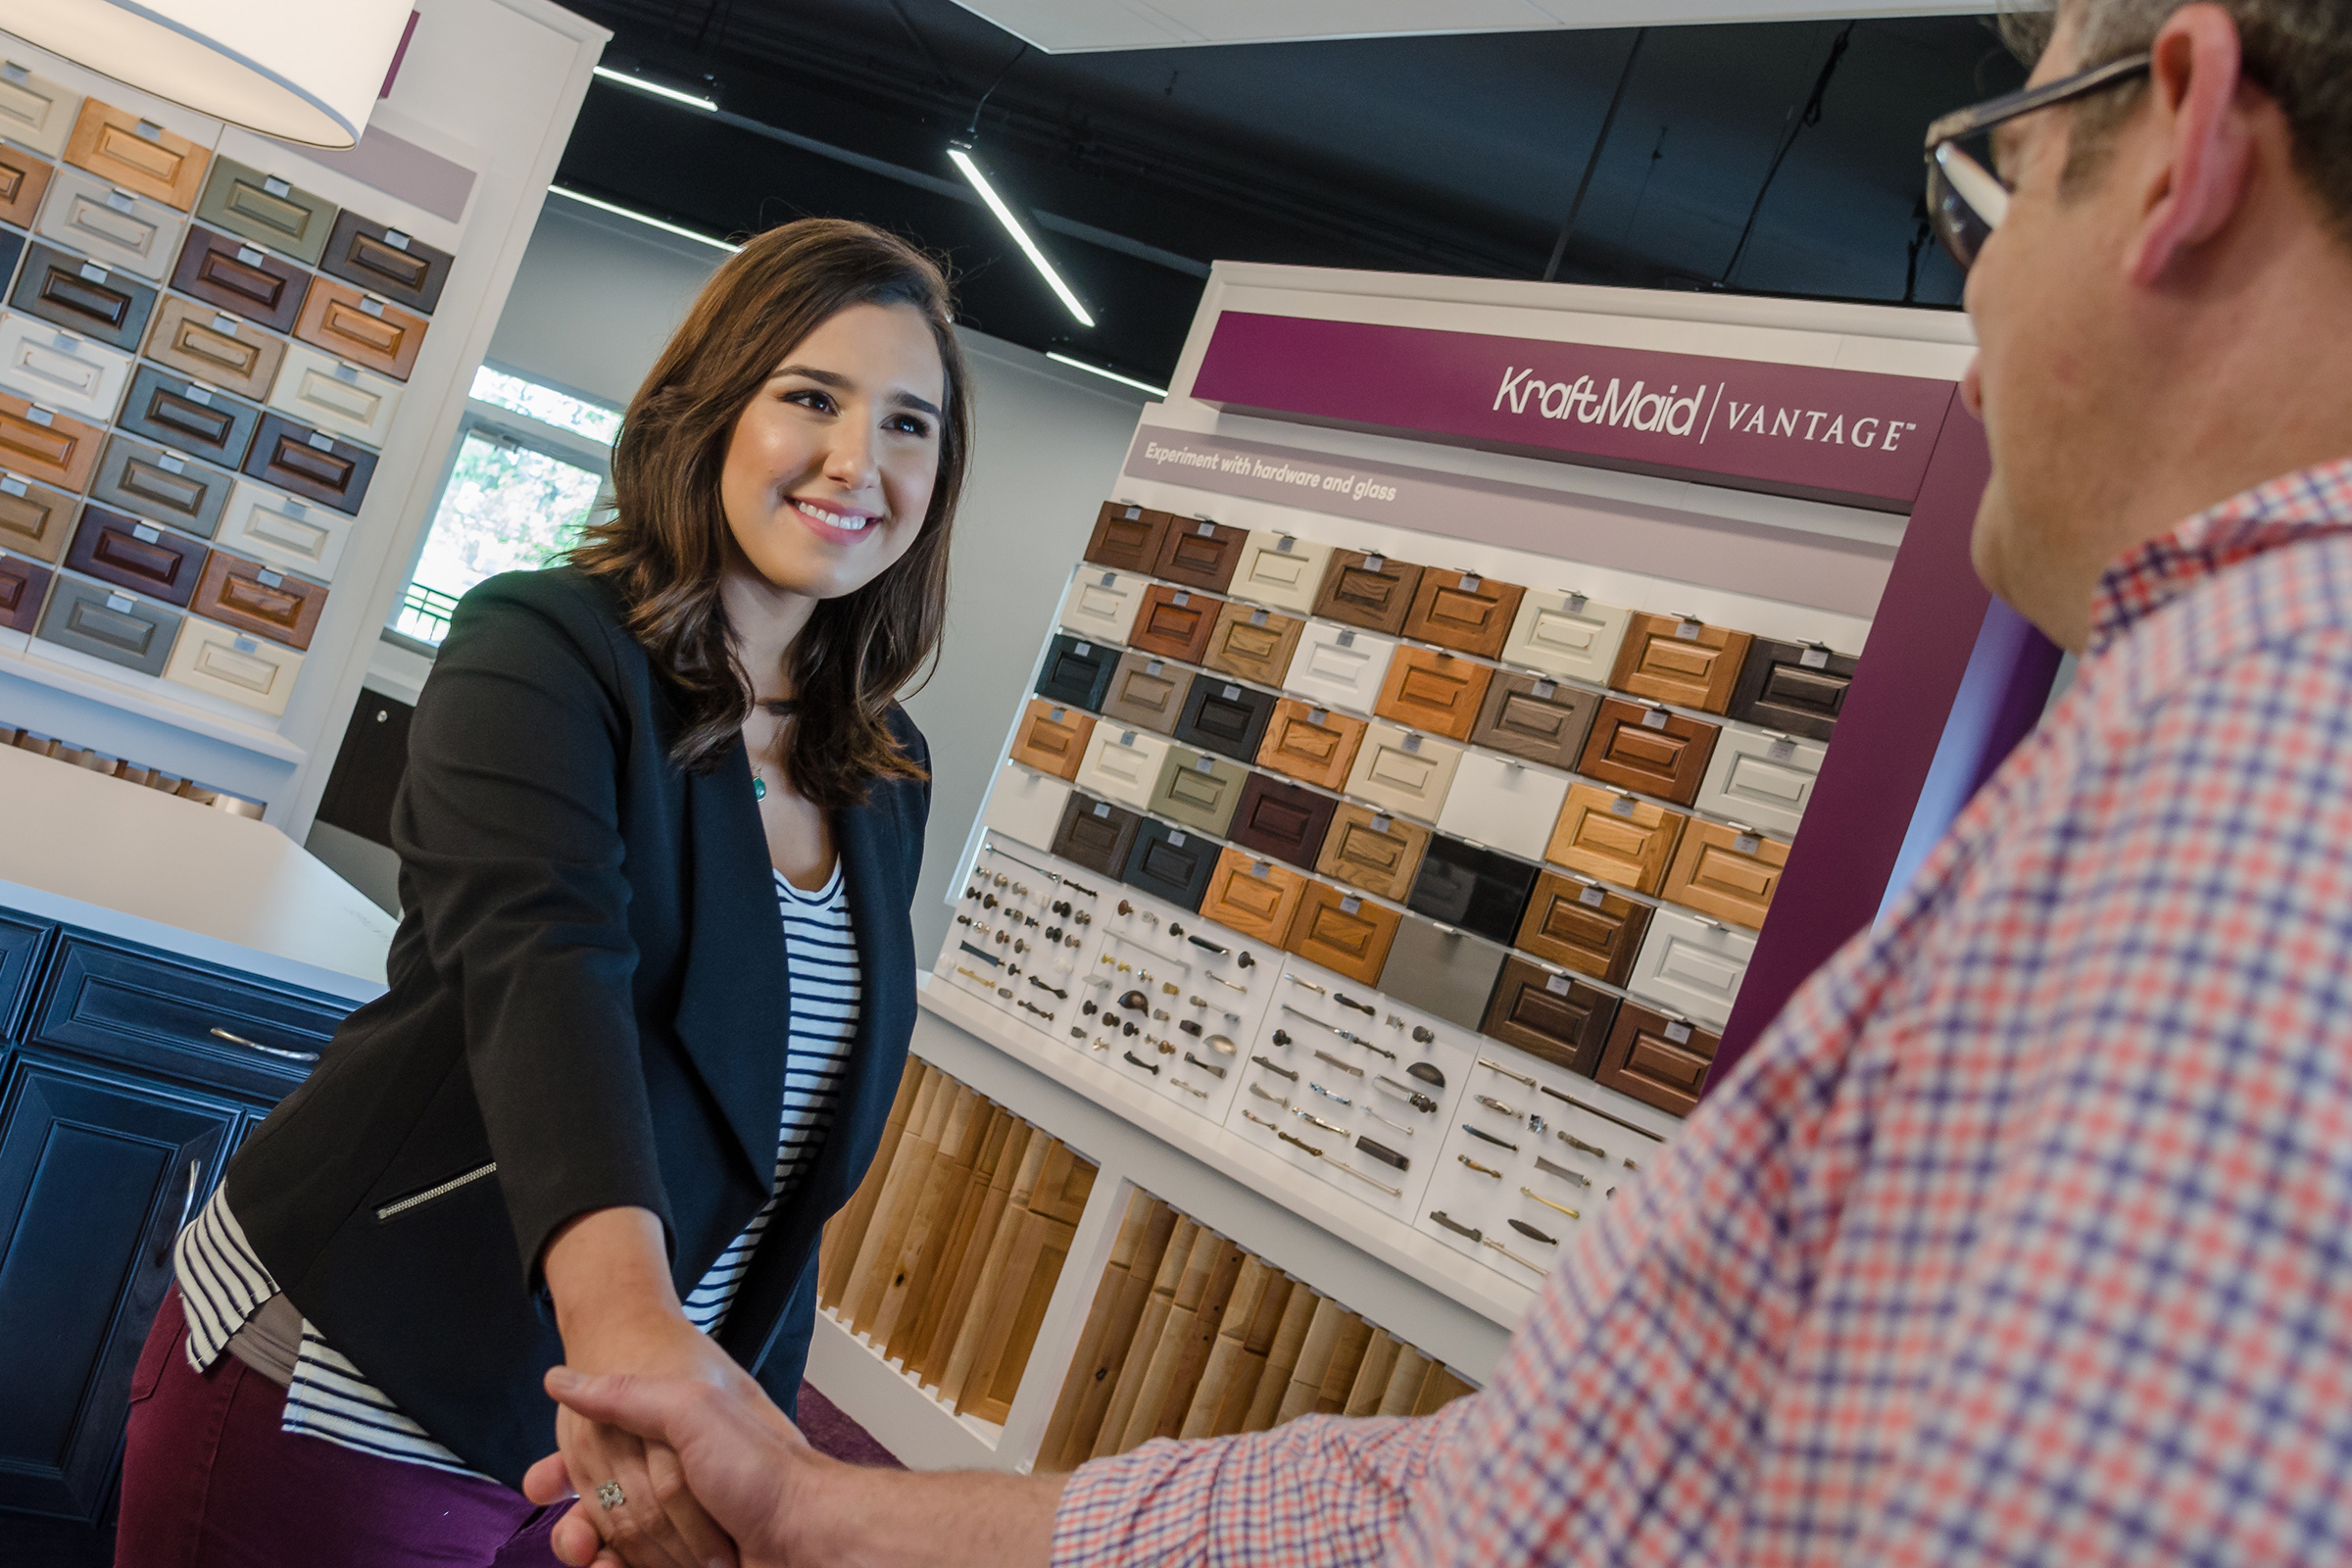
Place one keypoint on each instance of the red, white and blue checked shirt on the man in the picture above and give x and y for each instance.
(2022, 1238)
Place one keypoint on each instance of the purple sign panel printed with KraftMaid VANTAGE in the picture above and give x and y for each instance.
(1789, 429)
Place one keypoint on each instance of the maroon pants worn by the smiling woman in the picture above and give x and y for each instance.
(211, 1482)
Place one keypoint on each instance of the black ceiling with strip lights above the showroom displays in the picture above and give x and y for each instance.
(1408, 154)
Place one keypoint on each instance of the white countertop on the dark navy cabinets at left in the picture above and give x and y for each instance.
(215, 887)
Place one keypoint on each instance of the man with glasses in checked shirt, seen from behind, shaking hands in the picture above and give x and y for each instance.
(2026, 1233)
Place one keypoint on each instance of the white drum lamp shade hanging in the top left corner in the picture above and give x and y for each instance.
(290, 69)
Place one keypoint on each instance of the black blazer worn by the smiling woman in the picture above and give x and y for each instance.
(589, 989)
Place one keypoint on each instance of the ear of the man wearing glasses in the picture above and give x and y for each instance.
(2196, 88)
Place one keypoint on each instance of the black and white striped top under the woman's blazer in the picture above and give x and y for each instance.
(222, 1280)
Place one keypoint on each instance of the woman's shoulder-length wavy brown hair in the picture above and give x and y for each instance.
(664, 544)
